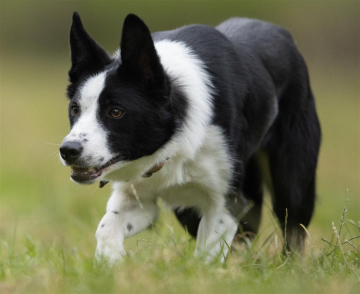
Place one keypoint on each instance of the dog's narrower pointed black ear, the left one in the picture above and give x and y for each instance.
(87, 57)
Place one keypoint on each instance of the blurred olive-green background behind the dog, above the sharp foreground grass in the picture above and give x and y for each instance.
(37, 197)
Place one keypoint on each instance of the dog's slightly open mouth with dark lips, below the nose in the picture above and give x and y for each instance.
(87, 175)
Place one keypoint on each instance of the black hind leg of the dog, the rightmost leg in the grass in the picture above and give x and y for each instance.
(292, 147)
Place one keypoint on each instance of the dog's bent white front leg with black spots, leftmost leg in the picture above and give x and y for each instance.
(124, 218)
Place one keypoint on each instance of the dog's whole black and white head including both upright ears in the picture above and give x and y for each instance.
(119, 108)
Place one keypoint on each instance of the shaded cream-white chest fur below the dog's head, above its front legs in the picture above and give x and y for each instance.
(198, 182)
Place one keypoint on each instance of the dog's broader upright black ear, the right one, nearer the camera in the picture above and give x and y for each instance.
(138, 54)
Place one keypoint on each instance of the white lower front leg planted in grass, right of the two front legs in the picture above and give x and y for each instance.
(215, 235)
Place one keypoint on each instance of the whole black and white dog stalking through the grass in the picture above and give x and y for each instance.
(184, 116)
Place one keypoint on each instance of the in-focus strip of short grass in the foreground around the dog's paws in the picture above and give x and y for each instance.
(162, 261)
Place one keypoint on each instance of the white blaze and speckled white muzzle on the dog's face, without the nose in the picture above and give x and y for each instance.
(87, 130)
